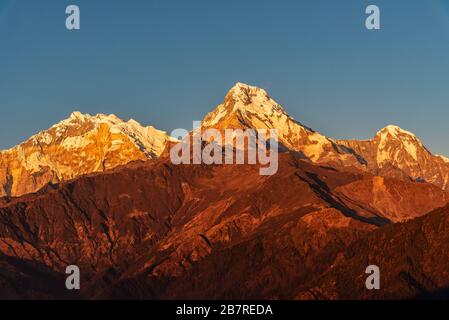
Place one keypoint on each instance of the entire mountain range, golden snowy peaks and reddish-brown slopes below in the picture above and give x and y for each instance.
(102, 193)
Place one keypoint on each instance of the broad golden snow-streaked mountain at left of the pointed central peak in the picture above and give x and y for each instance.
(76, 146)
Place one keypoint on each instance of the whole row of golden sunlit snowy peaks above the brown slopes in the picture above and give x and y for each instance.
(62, 152)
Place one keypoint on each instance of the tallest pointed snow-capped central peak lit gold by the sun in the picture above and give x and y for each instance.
(251, 107)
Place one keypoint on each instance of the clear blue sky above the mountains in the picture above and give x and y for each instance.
(167, 63)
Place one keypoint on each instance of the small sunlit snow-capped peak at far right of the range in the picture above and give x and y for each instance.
(395, 152)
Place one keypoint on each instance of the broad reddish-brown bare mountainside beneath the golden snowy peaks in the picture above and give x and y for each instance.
(156, 230)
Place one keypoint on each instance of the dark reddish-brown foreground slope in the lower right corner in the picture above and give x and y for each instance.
(413, 258)
